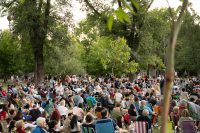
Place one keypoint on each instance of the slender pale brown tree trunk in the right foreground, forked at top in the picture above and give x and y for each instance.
(170, 64)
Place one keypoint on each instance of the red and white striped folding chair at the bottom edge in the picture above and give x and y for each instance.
(142, 127)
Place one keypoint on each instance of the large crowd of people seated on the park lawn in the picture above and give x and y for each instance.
(81, 103)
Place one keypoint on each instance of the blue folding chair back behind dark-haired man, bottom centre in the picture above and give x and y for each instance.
(106, 127)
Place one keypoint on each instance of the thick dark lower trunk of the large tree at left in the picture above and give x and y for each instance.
(39, 66)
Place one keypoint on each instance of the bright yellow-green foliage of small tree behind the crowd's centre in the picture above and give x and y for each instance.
(111, 55)
